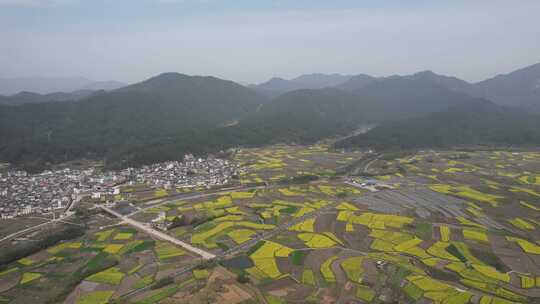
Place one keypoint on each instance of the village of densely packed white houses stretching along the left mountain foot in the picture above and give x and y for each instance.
(23, 194)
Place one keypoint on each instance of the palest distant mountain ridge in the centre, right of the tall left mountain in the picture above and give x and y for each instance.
(277, 86)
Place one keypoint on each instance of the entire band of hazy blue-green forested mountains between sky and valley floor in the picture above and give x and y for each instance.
(171, 114)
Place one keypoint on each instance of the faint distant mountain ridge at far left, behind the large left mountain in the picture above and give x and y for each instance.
(29, 97)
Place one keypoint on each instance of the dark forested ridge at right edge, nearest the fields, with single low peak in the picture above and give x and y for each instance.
(476, 122)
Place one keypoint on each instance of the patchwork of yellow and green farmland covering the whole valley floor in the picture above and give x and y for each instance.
(427, 227)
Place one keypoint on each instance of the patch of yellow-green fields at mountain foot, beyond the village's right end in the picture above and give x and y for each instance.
(275, 163)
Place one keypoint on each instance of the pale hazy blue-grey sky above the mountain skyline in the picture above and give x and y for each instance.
(251, 40)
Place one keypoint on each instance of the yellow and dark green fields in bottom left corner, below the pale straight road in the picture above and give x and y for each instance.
(98, 267)
